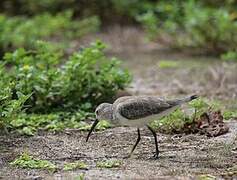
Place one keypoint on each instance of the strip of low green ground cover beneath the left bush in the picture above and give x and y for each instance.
(29, 124)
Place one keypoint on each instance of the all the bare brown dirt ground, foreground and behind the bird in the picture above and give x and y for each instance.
(182, 156)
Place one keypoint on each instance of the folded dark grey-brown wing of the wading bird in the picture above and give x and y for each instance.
(141, 107)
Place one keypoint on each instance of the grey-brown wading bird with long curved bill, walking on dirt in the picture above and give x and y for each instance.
(137, 111)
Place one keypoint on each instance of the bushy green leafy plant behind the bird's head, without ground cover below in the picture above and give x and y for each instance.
(86, 79)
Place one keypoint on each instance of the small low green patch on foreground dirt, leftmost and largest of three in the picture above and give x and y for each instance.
(27, 161)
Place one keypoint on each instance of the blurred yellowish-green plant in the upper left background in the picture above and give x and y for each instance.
(20, 31)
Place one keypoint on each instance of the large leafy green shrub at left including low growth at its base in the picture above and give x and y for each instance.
(59, 93)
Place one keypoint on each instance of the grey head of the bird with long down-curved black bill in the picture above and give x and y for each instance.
(102, 112)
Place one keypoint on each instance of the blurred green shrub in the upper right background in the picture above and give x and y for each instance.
(193, 24)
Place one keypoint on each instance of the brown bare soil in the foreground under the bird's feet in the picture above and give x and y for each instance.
(181, 155)
